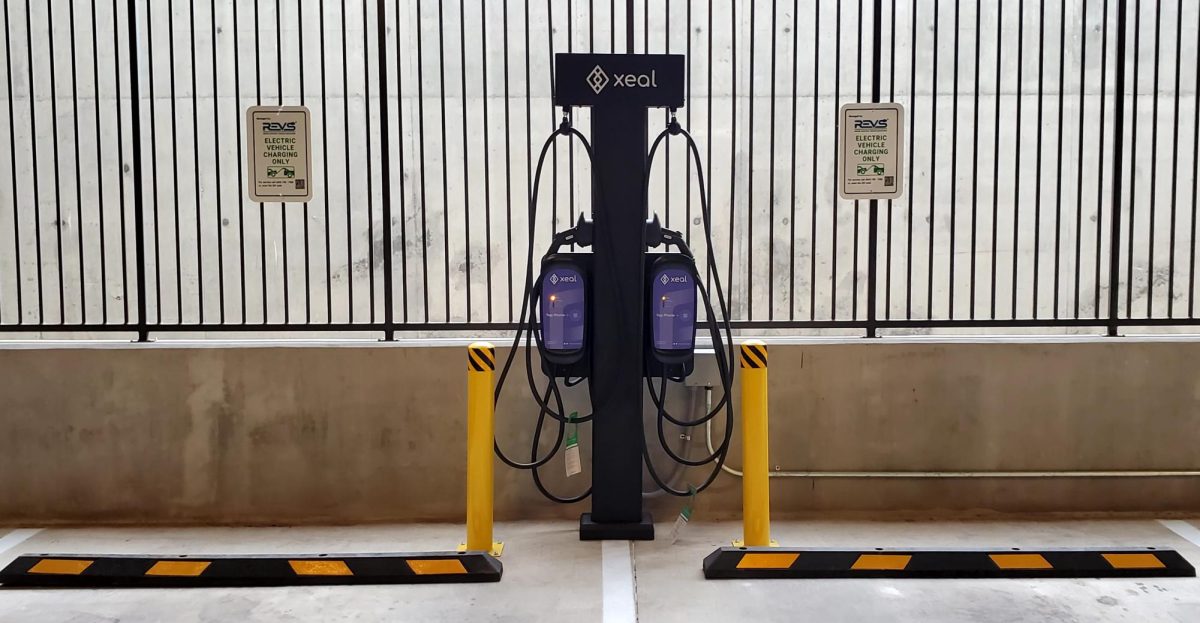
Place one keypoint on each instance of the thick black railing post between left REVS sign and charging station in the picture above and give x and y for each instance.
(386, 140)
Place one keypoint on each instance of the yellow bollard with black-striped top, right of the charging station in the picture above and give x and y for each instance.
(755, 480)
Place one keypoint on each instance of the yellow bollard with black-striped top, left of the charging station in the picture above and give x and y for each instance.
(481, 436)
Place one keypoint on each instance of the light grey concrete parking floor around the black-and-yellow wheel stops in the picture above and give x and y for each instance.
(551, 576)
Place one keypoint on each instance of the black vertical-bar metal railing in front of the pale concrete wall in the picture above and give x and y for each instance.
(1052, 175)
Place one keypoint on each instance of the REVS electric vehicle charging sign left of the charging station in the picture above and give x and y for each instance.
(280, 157)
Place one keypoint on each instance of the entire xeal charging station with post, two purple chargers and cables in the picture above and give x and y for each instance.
(620, 316)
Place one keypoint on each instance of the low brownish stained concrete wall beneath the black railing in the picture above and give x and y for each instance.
(171, 434)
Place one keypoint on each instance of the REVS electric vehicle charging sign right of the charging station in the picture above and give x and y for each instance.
(871, 148)
